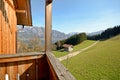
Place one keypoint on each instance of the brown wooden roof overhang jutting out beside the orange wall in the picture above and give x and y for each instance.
(23, 12)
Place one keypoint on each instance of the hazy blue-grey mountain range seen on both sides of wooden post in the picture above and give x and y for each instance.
(28, 33)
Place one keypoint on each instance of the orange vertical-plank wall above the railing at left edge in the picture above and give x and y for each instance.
(8, 24)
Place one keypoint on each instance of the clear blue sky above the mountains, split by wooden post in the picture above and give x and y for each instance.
(78, 15)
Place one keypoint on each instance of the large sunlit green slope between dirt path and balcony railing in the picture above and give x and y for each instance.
(101, 62)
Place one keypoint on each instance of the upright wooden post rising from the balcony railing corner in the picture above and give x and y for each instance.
(48, 26)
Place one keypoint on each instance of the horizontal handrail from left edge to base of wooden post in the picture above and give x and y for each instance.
(20, 56)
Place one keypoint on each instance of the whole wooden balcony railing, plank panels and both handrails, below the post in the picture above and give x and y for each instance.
(32, 66)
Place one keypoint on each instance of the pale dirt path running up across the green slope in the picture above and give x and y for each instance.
(76, 53)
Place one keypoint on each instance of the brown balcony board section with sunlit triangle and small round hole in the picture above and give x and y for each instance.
(27, 70)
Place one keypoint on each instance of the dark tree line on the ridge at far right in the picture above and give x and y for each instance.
(108, 33)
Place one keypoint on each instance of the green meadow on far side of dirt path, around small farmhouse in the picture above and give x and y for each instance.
(84, 44)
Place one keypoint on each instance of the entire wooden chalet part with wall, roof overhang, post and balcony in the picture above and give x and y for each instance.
(26, 66)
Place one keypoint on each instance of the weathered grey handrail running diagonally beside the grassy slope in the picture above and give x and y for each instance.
(61, 72)
